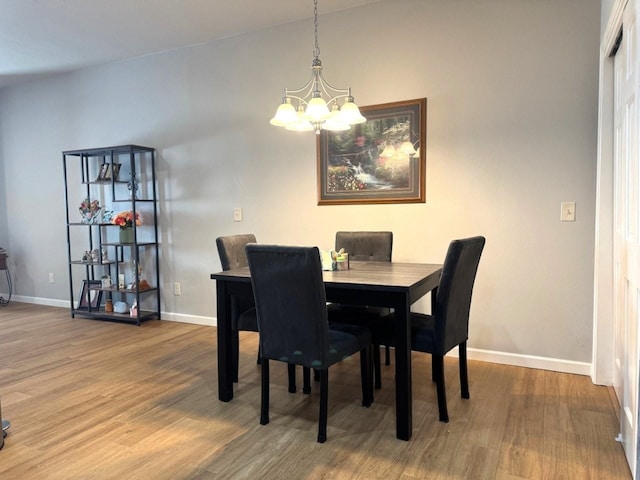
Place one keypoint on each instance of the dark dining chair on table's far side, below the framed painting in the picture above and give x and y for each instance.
(364, 247)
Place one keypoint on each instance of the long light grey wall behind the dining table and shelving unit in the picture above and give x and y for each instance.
(511, 132)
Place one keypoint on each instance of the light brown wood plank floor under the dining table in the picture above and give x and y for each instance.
(96, 400)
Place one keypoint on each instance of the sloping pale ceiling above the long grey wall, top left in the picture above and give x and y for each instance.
(41, 37)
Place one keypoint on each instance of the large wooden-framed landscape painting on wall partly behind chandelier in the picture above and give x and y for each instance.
(379, 161)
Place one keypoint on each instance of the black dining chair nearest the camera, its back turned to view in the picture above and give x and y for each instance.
(292, 318)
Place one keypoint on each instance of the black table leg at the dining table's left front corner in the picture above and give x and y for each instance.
(225, 352)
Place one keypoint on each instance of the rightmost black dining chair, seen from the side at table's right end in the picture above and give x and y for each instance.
(448, 324)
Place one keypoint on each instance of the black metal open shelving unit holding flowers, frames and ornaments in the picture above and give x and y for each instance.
(120, 178)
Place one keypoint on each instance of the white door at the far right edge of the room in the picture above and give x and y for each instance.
(626, 236)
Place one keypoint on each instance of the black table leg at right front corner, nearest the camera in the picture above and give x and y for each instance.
(404, 404)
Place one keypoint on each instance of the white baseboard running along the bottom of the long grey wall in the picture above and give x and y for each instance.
(503, 358)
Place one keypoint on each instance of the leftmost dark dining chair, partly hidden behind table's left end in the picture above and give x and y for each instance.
(243, 312)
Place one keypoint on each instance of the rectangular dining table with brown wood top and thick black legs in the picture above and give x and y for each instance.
(385, 284)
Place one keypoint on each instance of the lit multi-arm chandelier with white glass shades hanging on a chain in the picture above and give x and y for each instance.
(312, 111)
